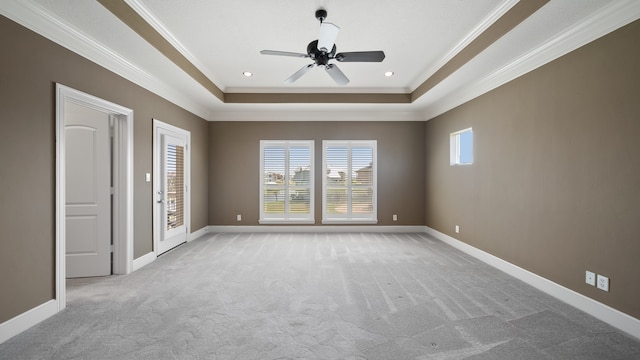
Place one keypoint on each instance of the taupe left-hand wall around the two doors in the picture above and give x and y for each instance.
(29, 68)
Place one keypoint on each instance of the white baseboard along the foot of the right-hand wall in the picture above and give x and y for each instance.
(603, 312)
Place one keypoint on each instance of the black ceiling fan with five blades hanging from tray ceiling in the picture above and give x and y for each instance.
(324, 49)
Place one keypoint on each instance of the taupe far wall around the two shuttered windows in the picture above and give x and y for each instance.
(234, 168)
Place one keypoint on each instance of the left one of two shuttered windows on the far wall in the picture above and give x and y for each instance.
(286, 183)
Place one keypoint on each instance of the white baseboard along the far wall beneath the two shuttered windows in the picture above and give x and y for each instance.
(316, 229)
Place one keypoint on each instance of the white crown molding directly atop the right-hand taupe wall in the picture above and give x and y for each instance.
(612, 17)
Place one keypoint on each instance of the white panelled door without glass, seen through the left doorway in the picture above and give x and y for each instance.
(88, 191)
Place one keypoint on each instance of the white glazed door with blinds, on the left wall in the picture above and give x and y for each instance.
(171, 187)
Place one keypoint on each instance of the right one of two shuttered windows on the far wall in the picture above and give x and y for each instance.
(349, 182)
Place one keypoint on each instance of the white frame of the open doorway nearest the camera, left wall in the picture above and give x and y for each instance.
(122, 178)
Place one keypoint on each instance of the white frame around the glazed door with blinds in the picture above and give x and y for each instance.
(157, 221)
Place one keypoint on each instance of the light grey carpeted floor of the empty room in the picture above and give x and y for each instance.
(316, 296)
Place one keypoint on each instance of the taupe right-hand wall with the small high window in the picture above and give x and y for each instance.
(555, 187)
